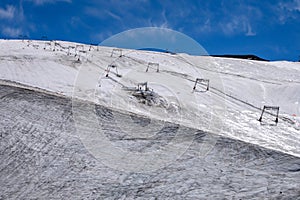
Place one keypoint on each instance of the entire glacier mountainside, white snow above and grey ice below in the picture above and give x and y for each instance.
(105, 85)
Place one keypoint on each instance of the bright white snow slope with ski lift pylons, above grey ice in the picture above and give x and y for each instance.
(238, 88)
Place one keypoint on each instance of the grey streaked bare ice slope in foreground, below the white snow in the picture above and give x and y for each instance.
(42, 158)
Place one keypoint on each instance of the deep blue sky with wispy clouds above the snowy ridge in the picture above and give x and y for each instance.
(269, 29)
